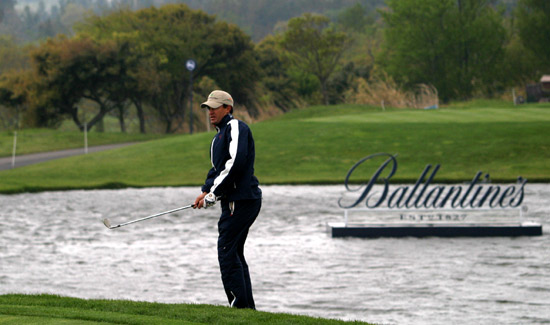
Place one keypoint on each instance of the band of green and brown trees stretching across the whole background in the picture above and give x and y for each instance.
(134, 60)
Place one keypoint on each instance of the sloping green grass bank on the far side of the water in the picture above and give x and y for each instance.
(319, 144)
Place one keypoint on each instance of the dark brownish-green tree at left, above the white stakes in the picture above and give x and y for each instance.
(69, 70)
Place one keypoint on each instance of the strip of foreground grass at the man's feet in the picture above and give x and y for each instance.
(51, 309)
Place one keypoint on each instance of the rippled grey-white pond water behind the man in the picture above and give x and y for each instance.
(56, 243)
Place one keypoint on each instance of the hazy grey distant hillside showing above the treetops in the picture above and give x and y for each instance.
(38, 19)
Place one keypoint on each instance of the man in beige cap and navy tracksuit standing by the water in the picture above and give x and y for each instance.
(231, 180)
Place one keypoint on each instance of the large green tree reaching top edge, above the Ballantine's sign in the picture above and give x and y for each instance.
(453, 45)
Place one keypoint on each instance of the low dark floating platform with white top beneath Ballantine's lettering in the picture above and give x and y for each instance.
(374, 230)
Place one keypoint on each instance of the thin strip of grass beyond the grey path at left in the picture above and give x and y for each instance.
(43, 140)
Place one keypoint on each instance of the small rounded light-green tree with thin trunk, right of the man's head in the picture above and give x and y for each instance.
(315, 47)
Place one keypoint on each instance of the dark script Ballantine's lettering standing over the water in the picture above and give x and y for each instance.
(421, 196)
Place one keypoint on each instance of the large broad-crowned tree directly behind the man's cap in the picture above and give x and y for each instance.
(163, 39)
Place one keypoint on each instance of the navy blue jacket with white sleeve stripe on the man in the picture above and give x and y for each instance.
(232, 154)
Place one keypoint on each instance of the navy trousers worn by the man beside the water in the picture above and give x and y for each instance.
(233, 226)
